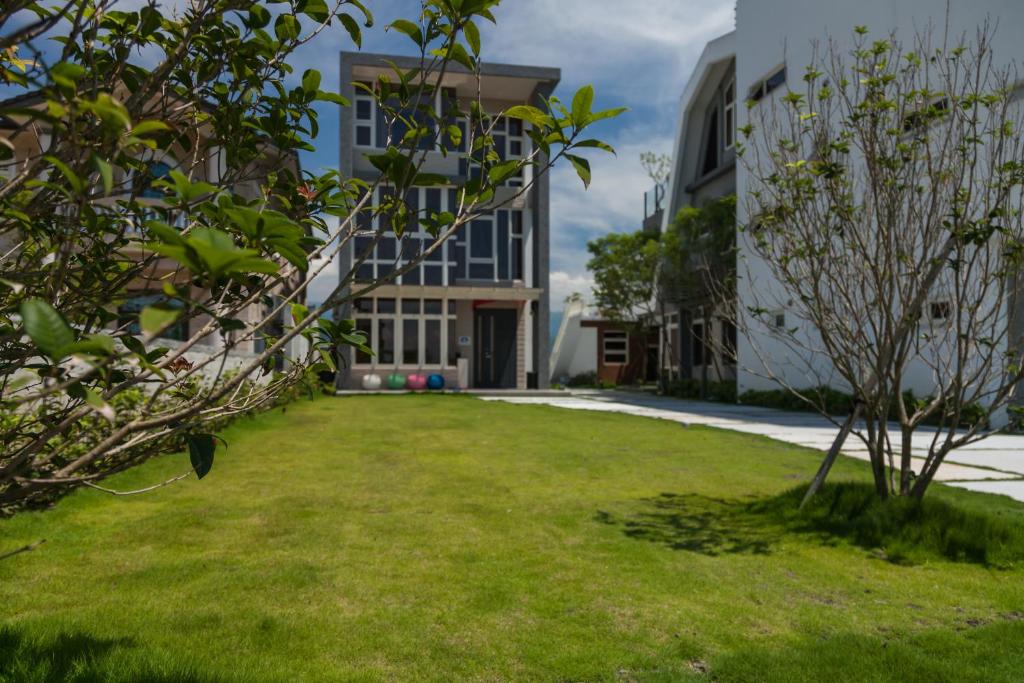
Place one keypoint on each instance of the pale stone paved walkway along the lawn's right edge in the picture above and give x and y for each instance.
(995, 465)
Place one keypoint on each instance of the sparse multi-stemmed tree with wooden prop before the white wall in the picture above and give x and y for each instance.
(884, 219)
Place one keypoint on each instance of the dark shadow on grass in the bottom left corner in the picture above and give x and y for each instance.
(80, 658)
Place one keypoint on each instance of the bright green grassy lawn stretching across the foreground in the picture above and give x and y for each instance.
(445, 538)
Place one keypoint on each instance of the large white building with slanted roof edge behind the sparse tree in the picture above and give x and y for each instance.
(774, 42)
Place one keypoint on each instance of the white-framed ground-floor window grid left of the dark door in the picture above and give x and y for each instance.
(410, 332)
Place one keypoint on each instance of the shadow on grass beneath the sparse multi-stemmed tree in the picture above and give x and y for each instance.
(904, 532)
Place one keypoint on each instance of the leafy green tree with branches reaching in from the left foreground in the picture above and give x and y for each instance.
(158, 148)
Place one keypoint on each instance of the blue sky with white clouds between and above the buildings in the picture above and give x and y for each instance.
(641, 59)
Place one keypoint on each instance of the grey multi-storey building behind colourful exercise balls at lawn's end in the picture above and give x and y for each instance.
(477, 310)
